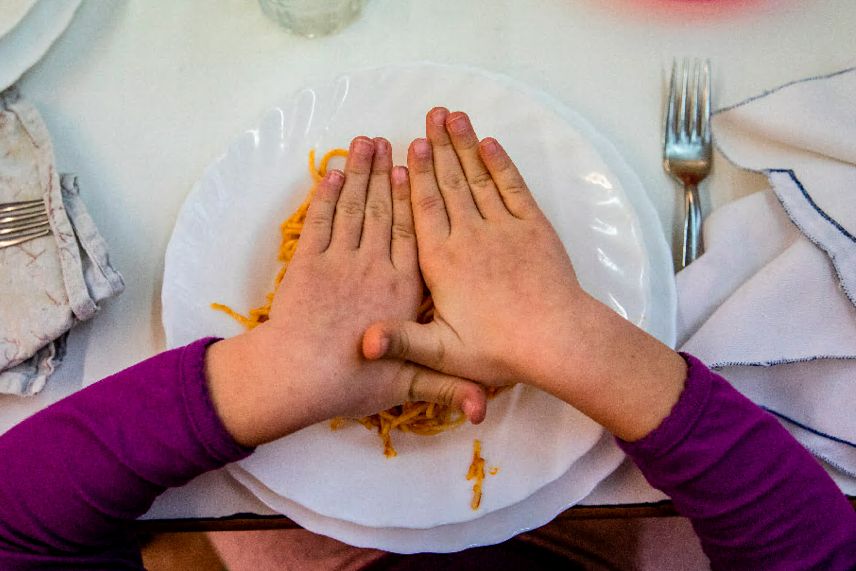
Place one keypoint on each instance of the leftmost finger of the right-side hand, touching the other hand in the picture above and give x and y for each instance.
(429, 209)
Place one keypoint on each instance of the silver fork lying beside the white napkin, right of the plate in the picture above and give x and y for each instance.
(686, 144)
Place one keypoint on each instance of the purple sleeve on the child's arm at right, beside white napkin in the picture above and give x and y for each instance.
(756, 498)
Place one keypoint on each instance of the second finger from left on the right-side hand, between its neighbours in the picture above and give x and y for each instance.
(450, 176)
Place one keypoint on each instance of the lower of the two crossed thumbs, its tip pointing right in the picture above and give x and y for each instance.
(430, 386)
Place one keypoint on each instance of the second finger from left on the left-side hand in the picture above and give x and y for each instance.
(348, 221)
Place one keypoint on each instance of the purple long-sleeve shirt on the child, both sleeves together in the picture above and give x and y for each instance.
(74, 476)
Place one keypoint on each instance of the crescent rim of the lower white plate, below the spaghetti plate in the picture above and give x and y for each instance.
(495, 527)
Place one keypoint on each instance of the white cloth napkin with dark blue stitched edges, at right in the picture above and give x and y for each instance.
(770, 305)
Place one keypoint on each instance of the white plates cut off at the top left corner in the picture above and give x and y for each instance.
(27, 29)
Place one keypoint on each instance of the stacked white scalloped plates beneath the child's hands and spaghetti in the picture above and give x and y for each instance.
(339, 483)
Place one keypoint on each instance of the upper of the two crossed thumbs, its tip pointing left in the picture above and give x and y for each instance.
(408, 340)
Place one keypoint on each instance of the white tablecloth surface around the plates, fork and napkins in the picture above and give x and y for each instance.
(141, 96)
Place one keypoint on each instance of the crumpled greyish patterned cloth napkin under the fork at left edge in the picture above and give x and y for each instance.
(49, 284)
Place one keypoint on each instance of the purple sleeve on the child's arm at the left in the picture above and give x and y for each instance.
(73, 476)
